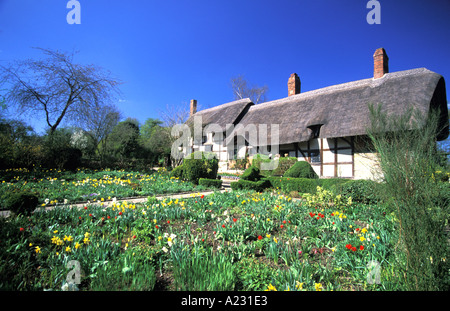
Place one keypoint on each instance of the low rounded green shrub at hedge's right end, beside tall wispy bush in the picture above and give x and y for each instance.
(360, 190)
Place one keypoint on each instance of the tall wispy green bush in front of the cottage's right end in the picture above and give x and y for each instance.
(406, 149)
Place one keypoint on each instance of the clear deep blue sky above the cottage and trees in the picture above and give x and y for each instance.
(169, 52)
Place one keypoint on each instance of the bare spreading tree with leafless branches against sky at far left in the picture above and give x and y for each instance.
(57, 87)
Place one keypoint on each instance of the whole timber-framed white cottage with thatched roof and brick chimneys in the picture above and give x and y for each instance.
(325, 127)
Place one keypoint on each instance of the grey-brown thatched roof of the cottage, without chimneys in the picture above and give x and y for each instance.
(340, 110)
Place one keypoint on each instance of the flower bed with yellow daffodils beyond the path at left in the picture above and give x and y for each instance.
(54, 186)
